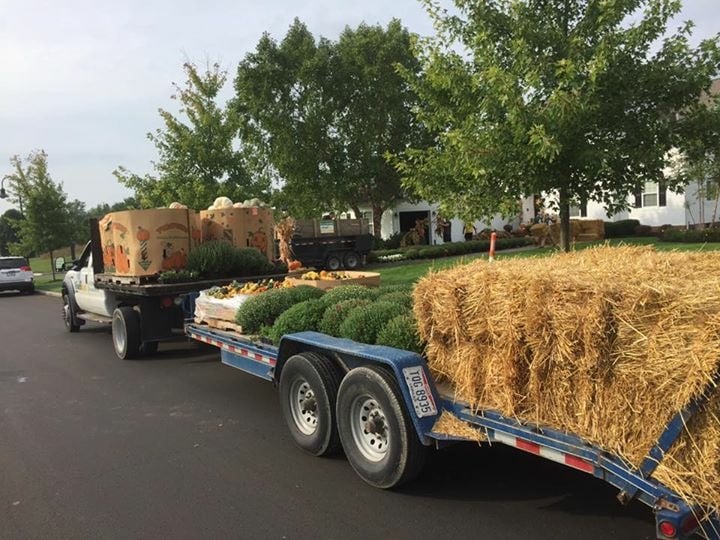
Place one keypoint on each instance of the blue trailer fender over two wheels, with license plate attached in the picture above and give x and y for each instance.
(409, 369)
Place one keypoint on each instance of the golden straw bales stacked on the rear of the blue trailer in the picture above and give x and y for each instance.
(606, 343)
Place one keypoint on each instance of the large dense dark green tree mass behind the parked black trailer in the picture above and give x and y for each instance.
(321, 116)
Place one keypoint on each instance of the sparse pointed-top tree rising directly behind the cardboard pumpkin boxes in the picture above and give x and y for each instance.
(197, 156)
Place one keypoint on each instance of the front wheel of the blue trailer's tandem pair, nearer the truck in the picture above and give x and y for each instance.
(308, 391)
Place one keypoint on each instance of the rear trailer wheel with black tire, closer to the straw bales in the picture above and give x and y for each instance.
(376, 431)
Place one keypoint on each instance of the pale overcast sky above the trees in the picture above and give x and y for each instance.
(83, 79)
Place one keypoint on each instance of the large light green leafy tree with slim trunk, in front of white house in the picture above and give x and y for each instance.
(567, 97)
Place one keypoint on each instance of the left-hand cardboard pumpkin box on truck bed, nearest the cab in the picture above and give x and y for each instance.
(145, 242)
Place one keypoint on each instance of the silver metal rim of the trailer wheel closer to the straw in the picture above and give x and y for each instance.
(369, 428)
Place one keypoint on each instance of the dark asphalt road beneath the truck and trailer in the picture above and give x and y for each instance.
(181, 446)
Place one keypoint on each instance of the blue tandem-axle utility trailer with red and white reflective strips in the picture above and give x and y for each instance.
(380, 404)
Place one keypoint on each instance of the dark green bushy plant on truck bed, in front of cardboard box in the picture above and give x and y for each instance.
(220, 260)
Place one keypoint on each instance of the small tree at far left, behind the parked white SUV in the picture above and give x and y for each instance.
(46, 226)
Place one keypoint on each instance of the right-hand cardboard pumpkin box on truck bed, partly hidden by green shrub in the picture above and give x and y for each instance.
(242, 227)
